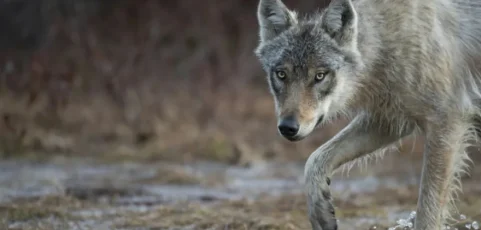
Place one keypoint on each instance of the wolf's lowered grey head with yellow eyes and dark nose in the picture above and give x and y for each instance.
(311, 63)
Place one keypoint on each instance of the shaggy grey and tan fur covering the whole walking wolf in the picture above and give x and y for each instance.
(397, 67)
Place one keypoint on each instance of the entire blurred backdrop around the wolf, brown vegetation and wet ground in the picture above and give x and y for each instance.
(140, 105)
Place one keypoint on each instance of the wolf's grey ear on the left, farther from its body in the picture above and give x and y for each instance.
(274, 18)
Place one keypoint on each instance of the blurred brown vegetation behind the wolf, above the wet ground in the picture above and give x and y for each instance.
(172, 80)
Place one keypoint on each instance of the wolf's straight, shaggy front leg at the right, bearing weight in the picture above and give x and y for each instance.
(444, 161)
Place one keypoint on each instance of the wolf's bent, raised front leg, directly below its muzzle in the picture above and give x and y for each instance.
(362, 136)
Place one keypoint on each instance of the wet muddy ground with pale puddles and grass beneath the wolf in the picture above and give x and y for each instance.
(70, 193)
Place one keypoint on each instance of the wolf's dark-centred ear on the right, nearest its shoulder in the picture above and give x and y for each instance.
(340, 22)
